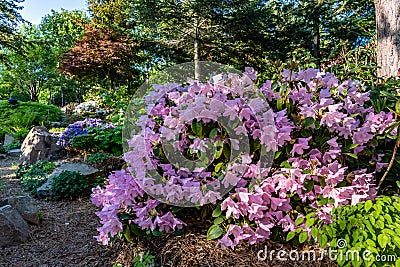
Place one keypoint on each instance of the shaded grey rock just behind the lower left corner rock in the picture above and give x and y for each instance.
(25, 207)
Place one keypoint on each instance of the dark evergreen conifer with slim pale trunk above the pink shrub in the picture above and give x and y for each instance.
(229, 32)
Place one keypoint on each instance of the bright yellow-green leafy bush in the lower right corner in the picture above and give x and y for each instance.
(371, 229)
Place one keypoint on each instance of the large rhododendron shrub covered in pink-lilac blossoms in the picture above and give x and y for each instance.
(321, 133)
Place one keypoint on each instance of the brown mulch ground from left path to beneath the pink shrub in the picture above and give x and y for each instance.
(65, 238)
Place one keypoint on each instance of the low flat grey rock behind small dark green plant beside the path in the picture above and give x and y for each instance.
(81, 168)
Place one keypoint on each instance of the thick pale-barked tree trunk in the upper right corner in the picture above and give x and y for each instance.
(388, 34)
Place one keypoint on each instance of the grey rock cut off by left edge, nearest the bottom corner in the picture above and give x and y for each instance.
(13, 229)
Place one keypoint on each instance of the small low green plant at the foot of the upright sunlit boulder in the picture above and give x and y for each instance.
(34, 175)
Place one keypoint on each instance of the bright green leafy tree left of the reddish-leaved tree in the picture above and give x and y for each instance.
(34, 73)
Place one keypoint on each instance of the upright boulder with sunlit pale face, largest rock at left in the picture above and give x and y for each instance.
(40, 145)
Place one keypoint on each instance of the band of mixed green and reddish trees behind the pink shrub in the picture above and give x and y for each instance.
(148, 35)
